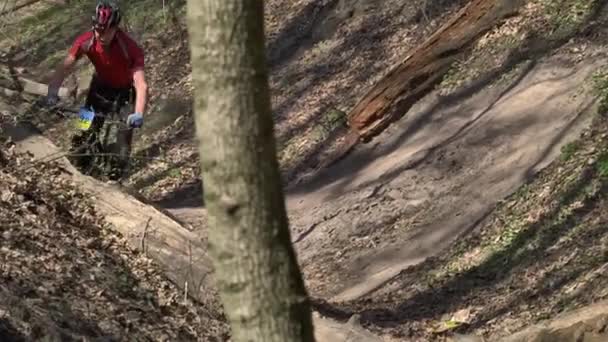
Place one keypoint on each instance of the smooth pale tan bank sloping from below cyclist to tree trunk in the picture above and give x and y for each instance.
(179, 252)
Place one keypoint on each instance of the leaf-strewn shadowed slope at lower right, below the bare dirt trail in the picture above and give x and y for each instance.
(541, 252)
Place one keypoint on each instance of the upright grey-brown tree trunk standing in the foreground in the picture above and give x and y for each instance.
(249, 241)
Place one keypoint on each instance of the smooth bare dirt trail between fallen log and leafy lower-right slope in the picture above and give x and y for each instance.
(433, 176)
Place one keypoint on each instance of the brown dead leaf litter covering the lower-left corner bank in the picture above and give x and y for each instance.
(65, 275)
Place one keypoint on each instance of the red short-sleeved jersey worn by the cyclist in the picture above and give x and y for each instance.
(113, 67)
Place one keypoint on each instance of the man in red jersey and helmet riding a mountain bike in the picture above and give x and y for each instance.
(119, 76)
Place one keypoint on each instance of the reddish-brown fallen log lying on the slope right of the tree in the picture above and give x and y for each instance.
(413, 78)
